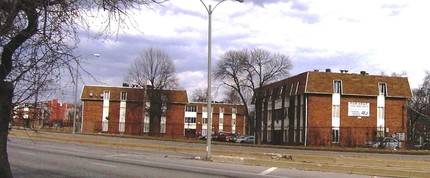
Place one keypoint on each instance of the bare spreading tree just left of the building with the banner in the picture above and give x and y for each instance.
(246, 72)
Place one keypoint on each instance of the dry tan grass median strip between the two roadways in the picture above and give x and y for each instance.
(364, 165)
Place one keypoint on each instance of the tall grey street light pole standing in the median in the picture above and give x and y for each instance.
(209, 109)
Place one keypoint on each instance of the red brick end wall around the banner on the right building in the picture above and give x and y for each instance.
(354, 131)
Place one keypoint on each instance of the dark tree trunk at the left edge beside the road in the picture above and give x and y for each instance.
(6, 93)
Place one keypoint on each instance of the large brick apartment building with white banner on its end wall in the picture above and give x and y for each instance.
(328, 108)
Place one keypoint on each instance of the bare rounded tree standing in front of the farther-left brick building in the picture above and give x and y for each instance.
(156, 67)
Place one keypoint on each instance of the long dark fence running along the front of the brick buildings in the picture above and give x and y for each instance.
(311, 136)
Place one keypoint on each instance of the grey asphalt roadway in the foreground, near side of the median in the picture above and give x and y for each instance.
(31, 157)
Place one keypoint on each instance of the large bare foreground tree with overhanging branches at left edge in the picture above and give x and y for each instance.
(37, 30)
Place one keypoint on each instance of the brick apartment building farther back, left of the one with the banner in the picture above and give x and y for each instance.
(123, 110)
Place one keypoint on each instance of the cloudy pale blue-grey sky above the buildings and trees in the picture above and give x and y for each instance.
(376, 36)
